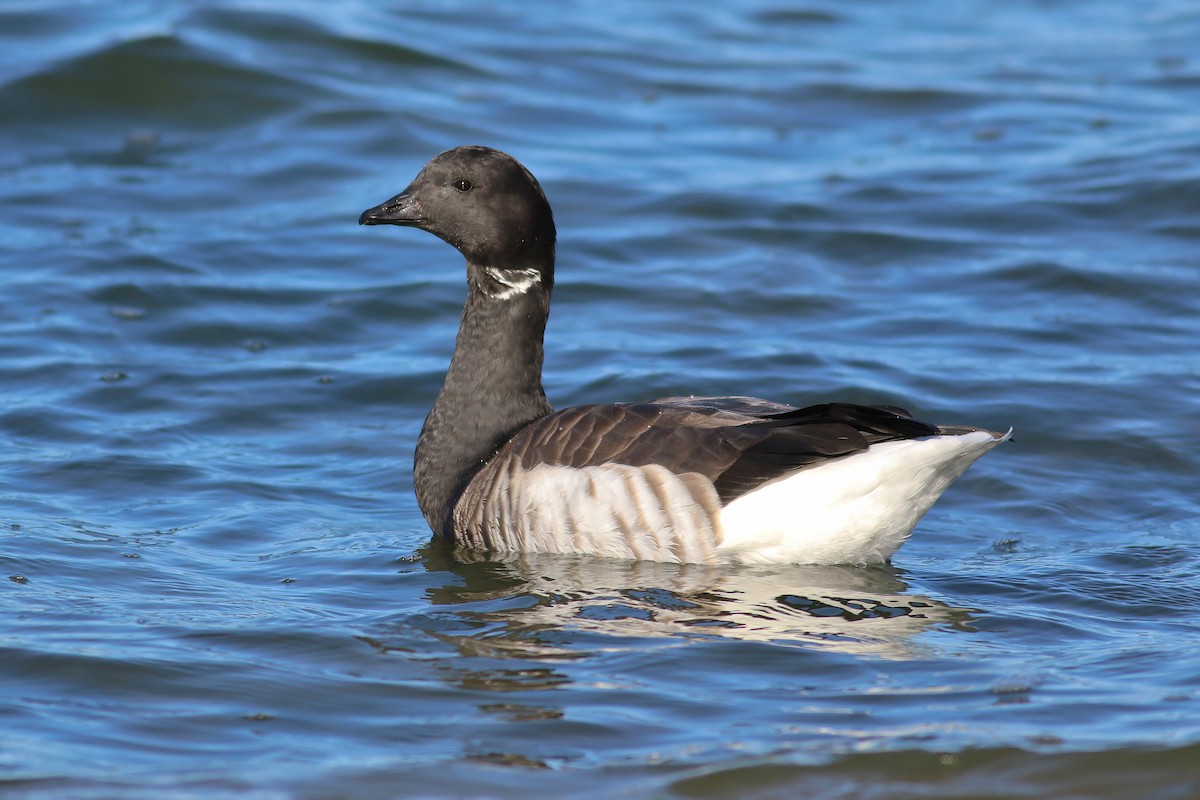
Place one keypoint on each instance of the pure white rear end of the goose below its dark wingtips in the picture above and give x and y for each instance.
(854, 510)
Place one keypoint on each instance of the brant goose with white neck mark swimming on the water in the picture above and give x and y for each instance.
(683, 479)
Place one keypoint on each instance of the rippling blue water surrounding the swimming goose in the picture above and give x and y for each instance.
(219, 584)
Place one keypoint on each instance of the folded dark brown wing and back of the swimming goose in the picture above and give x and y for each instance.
(737, 443)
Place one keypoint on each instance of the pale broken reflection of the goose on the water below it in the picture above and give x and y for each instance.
(862, 611)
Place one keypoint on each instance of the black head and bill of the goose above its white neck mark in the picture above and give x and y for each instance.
(484, 203)
